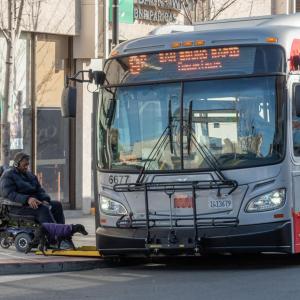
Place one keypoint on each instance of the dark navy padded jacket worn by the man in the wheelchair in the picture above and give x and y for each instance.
(18, 187)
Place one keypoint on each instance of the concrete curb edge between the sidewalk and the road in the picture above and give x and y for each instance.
(21, 267)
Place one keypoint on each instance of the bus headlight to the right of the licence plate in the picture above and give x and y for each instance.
(269, 201)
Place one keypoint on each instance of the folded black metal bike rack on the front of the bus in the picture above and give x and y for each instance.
(150, 221)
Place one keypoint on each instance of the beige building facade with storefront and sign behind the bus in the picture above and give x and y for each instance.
(61, 37)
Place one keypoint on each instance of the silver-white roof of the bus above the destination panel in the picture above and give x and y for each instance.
(222, 32)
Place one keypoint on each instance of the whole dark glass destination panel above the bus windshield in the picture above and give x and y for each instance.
(196, 63)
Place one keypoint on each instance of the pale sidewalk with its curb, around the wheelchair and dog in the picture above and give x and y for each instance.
(13, 262)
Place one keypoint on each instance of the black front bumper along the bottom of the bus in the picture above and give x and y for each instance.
(271, 237)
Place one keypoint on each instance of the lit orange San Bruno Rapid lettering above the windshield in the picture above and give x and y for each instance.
(185, 61)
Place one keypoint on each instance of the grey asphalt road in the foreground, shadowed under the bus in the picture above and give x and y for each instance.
(219, 277)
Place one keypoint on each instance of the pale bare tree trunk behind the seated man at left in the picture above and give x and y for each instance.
(12, 34)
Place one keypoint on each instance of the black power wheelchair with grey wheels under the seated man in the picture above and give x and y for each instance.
(17, 230)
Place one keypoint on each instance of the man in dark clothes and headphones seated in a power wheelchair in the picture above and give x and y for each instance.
(20, 185)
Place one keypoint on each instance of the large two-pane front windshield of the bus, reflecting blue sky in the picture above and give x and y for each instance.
(238, 120)
